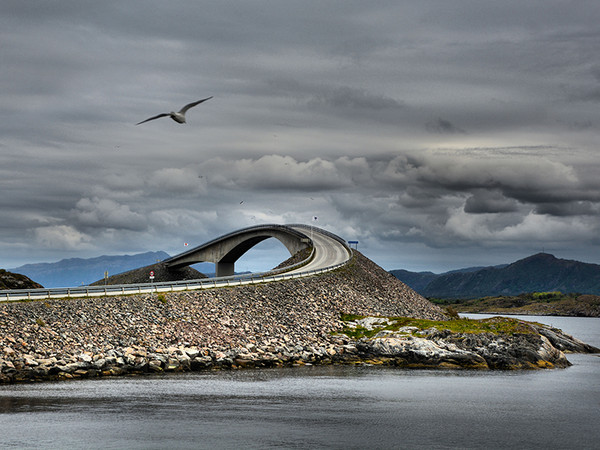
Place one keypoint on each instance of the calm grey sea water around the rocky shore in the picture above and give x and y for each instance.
(317, 407)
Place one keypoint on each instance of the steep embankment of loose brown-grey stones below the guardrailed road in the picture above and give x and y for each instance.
(274, 324)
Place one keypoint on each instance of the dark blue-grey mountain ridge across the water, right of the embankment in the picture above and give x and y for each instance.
(538, 273)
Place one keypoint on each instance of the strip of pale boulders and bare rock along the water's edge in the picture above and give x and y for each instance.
(531, 347)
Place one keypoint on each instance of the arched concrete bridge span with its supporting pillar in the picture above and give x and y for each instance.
(226, 250)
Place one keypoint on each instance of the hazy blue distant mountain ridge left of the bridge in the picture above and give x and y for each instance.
(77, 271)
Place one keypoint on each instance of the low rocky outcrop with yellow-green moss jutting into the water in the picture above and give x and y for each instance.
(496, 343)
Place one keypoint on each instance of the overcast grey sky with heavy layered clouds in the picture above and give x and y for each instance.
(439, 134)
